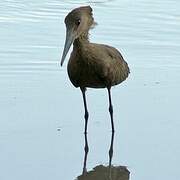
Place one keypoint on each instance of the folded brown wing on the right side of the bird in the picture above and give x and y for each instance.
(108, 63)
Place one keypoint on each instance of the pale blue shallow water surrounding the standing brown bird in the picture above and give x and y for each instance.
(41, 134)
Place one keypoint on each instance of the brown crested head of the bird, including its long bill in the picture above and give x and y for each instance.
(78, 22)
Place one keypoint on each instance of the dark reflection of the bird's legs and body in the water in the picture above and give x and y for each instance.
(102, 172)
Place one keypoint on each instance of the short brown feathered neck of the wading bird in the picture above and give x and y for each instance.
(81, 41)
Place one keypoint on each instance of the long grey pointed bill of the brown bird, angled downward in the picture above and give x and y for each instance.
(69, 40)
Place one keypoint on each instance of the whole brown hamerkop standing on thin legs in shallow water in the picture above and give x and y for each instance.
(91, 65)
